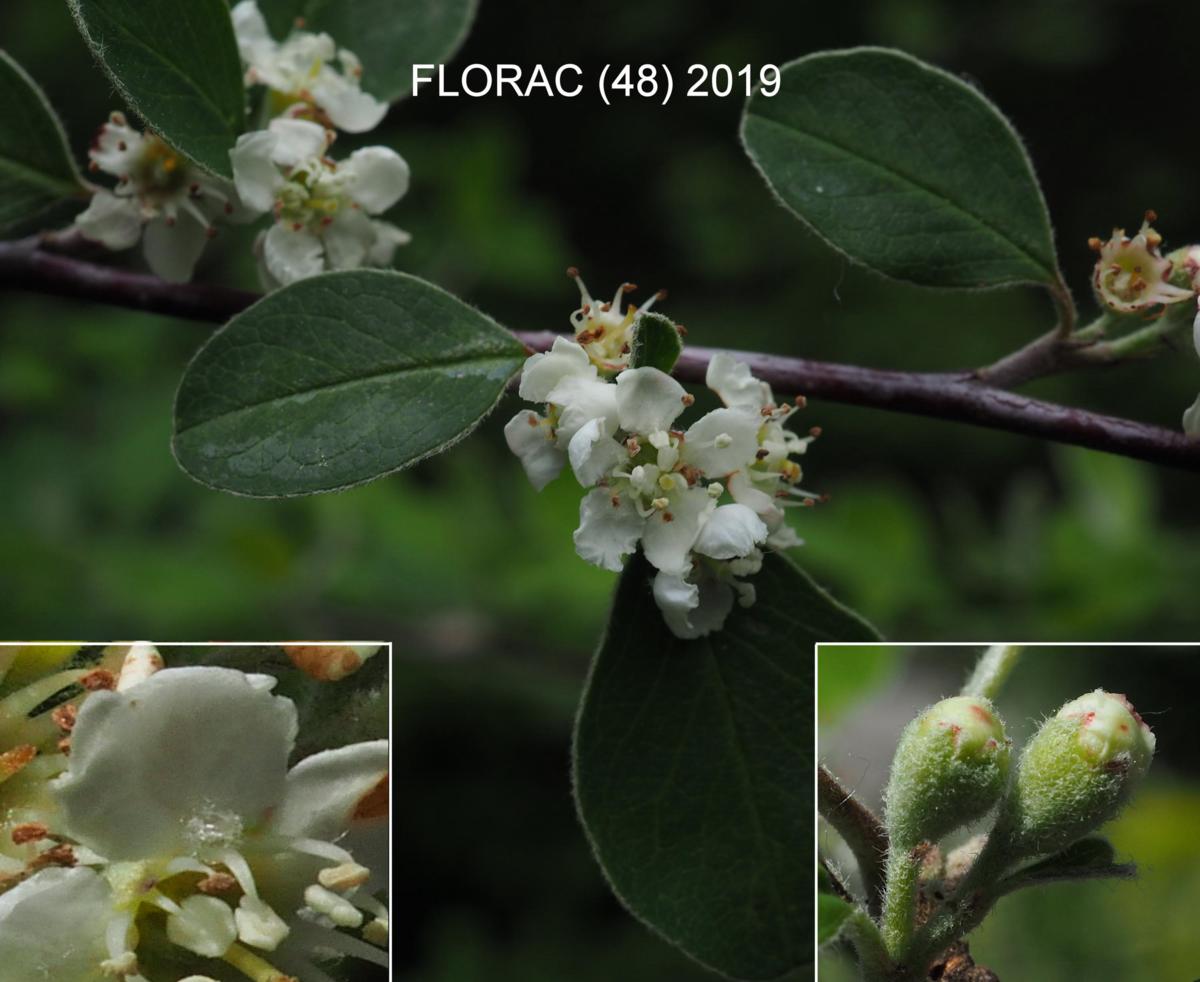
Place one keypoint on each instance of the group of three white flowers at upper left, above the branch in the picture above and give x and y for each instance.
(323, 211)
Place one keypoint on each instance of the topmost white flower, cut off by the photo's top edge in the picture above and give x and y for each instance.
(301, 73)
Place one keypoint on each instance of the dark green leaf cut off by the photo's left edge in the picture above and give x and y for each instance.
(37, 169)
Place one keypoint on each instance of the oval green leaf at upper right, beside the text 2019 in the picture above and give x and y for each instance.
(904, 169)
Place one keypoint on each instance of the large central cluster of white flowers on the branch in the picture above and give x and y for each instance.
(652, 484)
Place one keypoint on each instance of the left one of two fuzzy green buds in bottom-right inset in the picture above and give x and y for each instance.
(951, 768)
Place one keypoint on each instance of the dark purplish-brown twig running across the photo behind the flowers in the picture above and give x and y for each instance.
(970, 398)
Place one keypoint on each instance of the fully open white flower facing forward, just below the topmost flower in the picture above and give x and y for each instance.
(322, 208)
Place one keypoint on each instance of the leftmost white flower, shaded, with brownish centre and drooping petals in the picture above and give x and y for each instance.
(160, 199)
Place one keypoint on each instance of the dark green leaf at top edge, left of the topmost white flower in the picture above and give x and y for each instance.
(178, 68)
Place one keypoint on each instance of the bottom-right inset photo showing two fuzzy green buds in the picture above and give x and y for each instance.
(1007, 812)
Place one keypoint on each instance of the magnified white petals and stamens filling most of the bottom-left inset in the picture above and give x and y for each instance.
(170, 818)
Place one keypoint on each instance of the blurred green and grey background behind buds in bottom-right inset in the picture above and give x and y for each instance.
(1137, 931)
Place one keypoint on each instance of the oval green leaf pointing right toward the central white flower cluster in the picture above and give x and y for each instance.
(339, 380)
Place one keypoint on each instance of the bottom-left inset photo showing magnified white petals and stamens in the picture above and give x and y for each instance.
(217, 813)
